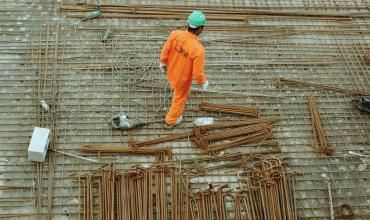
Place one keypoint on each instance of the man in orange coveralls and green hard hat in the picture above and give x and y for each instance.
(183, 58)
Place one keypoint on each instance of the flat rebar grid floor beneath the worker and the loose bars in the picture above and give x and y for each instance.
(87, 82)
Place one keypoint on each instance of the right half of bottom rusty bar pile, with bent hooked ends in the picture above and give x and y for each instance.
(265, 192)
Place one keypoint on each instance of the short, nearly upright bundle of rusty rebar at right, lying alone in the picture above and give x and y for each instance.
(318, 129)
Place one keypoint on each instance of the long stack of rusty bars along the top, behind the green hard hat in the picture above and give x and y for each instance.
(224, 13)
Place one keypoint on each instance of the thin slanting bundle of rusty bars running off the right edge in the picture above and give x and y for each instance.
(282, 81)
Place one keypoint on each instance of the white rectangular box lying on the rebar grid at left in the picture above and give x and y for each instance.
(39, 144)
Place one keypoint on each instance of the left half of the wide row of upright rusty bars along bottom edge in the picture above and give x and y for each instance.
(138, 194)
